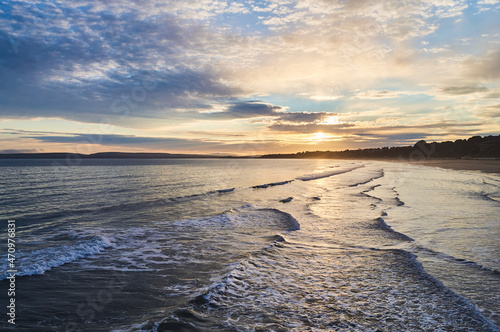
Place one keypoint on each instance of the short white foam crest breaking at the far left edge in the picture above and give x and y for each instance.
(42, 260)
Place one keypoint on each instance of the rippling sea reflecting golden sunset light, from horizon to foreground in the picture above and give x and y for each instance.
(250, 245)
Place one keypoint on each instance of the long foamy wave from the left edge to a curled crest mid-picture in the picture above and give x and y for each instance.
(149, 248)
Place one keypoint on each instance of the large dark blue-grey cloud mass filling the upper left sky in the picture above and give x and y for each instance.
(88, 64)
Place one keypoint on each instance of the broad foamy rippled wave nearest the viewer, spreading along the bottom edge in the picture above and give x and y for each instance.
(267, 292)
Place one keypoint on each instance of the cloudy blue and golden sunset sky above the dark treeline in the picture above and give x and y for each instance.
(245, 77)
